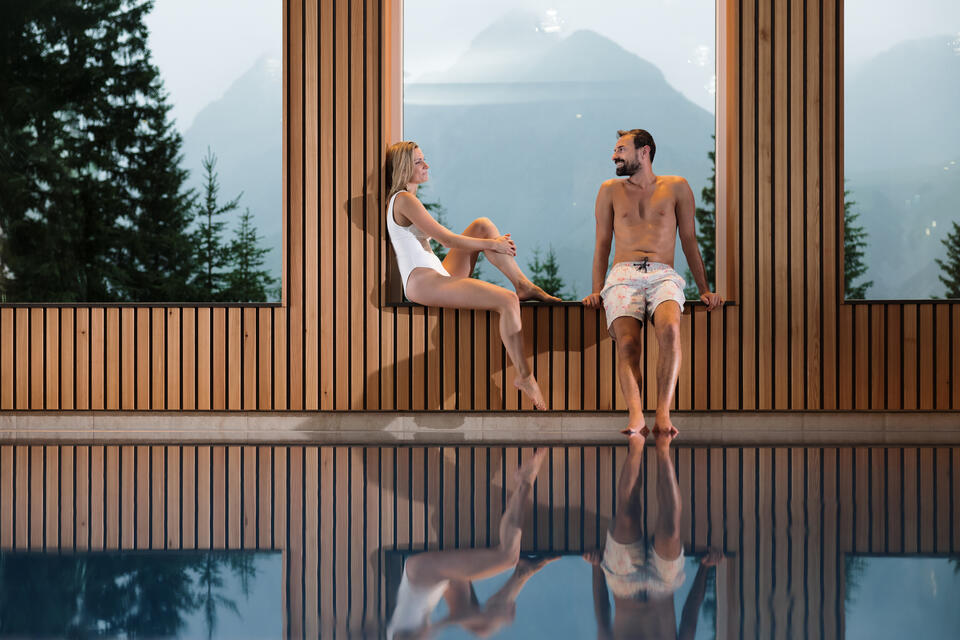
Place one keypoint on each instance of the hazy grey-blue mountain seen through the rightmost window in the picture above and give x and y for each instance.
(902, 161)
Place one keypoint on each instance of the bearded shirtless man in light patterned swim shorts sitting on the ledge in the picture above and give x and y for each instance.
(643, 213)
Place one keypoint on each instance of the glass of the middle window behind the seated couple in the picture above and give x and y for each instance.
(516, 106)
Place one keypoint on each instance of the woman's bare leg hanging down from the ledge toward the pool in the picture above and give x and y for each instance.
(427, 287)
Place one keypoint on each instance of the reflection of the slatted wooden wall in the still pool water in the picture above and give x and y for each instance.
(332, 509)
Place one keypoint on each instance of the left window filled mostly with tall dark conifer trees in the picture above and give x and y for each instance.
(141, 151)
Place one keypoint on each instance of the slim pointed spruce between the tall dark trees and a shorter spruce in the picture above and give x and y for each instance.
(213, 254)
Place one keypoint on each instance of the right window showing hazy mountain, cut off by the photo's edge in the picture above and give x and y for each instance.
(902, 149)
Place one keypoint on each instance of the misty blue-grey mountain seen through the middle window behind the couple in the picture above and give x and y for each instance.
(526, 139)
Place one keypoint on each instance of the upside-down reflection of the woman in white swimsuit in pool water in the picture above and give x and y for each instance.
(434, 575)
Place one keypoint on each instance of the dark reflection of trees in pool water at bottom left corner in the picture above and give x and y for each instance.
(137, 595)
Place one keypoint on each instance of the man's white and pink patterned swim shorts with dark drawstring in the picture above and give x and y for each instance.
(636, 289)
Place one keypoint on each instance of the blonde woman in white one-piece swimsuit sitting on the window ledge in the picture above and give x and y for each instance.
(431, 283)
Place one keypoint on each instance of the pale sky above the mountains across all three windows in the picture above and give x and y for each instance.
(202, 46)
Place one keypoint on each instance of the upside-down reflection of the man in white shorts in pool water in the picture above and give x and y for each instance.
(643, 574)
